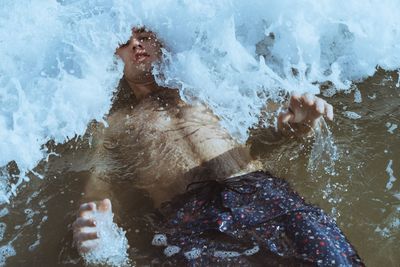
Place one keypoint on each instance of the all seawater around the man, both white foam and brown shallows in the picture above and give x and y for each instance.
(58, 72)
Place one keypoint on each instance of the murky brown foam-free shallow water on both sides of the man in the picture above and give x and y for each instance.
(355, 190)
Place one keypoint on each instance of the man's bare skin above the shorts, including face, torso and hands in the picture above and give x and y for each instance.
(170, 143)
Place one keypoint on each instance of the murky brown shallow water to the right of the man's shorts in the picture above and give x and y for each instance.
(356, 194)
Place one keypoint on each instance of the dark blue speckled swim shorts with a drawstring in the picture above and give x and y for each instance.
(253, 219)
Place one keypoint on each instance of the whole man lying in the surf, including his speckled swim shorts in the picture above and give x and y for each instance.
(172, 145)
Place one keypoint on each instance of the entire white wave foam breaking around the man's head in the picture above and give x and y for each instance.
(57, 71)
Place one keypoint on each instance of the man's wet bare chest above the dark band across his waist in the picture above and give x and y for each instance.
(154, 130)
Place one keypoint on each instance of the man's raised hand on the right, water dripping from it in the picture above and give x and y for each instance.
(303, 113)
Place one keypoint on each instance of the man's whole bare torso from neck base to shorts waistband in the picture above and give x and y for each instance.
(163, 144)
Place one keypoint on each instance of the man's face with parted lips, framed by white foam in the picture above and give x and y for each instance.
(138, 54)
